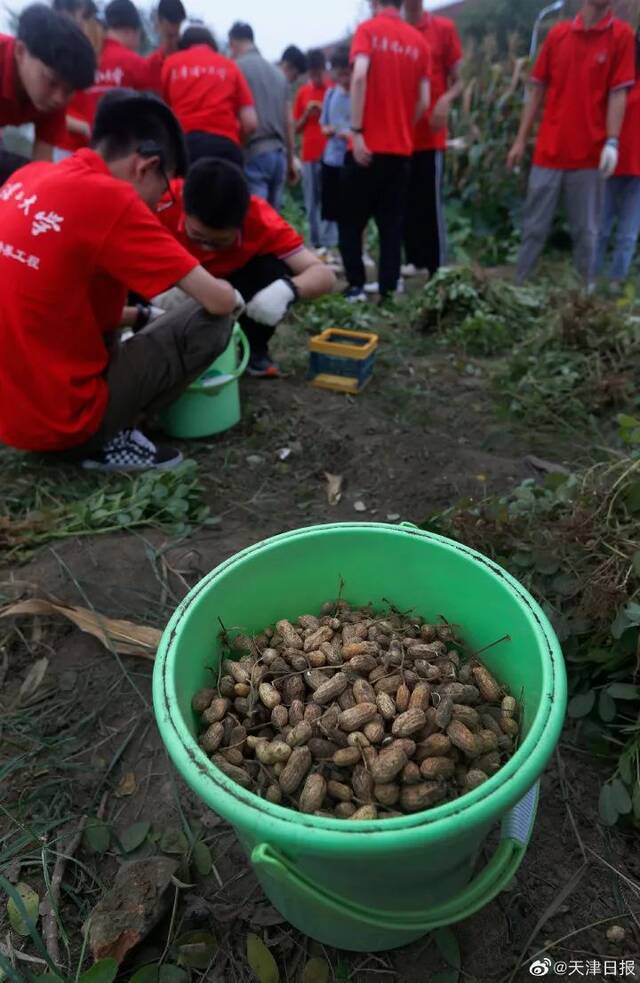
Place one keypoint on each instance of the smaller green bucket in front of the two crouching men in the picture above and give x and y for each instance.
(212, 404)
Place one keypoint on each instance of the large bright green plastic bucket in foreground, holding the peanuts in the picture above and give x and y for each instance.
(369, 886)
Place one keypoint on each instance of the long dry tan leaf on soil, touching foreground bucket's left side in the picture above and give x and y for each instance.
(123, 637)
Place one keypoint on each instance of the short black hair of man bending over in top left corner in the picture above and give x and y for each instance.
(56, 41)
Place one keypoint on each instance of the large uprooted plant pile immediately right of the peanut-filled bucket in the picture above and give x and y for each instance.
(574, 542)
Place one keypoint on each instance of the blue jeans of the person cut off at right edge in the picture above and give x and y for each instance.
(621, 208)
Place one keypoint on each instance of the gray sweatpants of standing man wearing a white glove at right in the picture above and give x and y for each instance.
(583, 193)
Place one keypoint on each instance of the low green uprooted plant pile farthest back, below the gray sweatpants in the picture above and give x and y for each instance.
(476, 312)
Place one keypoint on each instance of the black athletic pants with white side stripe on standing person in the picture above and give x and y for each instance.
(425, 230)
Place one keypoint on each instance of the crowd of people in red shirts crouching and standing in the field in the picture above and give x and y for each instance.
(153, 199)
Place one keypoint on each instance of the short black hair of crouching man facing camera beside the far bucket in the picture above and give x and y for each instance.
(216, 193)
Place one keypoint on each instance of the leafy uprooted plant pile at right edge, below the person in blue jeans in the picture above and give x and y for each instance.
(585, 363)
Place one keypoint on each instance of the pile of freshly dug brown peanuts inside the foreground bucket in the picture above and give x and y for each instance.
(353, 715)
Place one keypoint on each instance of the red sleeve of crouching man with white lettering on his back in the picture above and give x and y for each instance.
(142, 254)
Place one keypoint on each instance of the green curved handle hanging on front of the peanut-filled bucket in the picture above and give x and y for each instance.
(517, 827)
